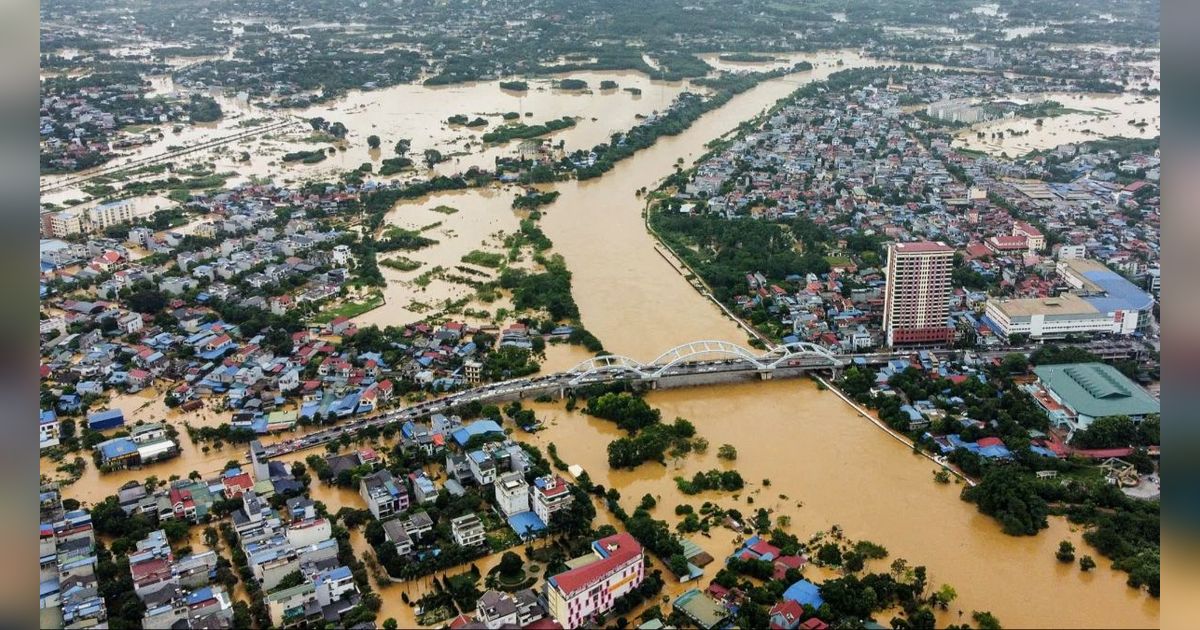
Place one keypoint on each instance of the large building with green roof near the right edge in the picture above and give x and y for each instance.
(1088, 392)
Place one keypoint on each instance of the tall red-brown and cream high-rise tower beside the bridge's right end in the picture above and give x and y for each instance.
(916, 307)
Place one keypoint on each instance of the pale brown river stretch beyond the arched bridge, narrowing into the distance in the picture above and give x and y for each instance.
(629, 296)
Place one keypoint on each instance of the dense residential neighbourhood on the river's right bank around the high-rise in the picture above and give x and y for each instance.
(845, 172)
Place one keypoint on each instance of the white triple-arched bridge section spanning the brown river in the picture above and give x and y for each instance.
(701, 358)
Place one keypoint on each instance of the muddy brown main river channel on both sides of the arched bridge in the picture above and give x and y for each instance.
(815, 449)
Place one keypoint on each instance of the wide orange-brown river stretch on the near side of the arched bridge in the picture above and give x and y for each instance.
(829, 466)
